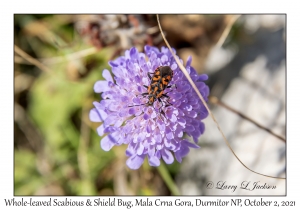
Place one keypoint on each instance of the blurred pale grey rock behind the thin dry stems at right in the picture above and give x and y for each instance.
(253, 82)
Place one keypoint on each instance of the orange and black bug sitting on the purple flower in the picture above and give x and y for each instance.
(160, 80)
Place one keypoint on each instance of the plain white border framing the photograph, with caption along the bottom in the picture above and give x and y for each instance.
(8, 8)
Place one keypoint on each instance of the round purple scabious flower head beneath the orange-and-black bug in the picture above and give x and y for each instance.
(154, 131)
